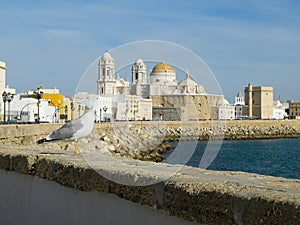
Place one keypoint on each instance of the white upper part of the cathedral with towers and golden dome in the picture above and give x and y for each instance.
(162, 80)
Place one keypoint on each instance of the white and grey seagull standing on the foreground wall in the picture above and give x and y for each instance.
(73, 130)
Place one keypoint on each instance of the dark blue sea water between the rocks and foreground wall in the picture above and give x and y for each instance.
(275, 157)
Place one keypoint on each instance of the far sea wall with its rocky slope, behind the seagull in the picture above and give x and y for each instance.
(147, 140)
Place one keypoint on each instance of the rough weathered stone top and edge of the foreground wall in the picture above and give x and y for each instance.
(206, 197)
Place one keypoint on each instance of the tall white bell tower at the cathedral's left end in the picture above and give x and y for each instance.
(106, 75)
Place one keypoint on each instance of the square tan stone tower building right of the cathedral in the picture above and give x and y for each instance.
(259, 102)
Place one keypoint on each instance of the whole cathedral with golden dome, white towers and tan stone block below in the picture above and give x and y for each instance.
(171, 99)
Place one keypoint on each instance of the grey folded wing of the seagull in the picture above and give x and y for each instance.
(67, 131)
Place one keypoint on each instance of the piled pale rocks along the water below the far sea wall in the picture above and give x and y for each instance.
(150, 142)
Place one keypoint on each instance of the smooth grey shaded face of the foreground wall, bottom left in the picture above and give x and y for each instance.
(31, 200)
